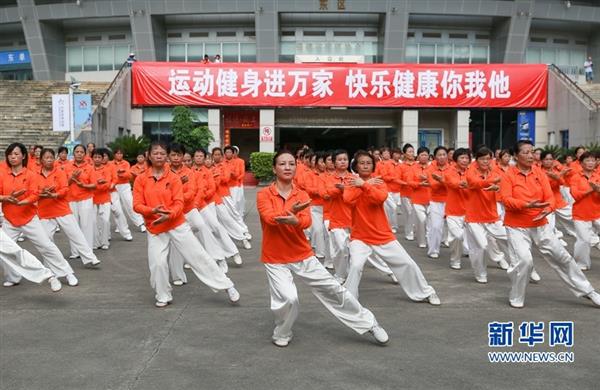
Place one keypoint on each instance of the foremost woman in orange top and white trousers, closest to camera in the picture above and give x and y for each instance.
(284, 214)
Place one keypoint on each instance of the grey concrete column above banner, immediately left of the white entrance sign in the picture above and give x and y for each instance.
(267, 31)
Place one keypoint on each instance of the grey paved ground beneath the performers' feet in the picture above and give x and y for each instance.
(107, 334)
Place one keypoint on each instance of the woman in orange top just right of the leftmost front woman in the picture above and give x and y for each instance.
(54, 210)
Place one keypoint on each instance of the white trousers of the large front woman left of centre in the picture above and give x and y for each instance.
(186, 243)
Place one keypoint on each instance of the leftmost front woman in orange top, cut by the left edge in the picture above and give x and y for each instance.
(19, 195)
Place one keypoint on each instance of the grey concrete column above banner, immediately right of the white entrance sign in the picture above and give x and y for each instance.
(395, 28)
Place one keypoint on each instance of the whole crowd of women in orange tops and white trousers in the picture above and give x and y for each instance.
(324, 217)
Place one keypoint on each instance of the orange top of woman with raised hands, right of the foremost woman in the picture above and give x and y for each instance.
(369, 222)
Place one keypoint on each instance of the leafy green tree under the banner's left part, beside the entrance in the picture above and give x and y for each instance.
(186, 130)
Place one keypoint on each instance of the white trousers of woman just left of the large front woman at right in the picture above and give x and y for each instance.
(483, 237)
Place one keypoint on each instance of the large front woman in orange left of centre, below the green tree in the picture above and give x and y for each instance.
(158, 197)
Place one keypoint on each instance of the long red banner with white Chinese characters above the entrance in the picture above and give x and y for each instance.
(340, 85)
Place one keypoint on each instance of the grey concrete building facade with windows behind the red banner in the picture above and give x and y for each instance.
(90, 40)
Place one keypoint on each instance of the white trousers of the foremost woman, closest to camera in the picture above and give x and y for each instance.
(338, 300)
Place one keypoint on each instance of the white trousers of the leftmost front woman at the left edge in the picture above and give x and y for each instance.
(51, 256)
